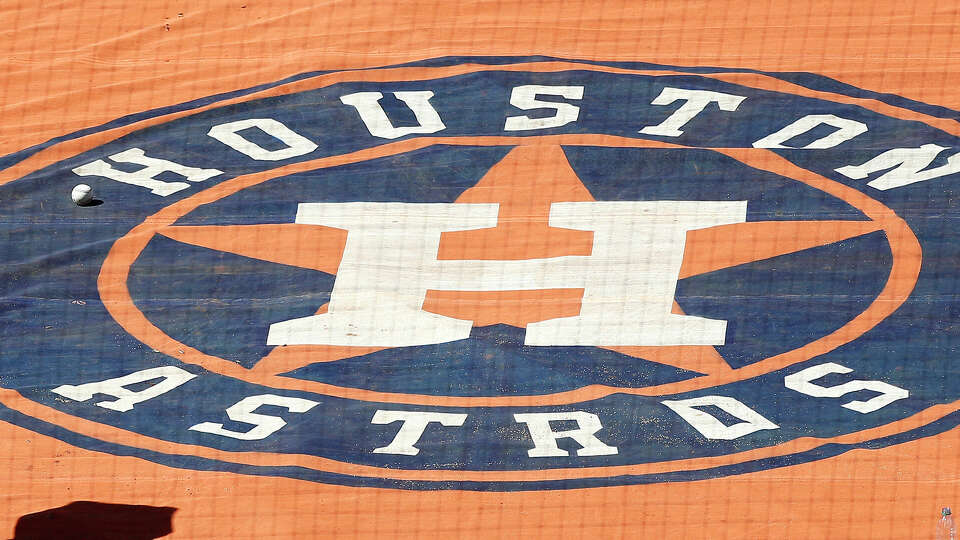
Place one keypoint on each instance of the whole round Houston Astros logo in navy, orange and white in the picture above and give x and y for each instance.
(503, 274)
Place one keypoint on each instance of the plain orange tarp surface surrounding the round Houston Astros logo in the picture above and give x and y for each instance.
(70, 65)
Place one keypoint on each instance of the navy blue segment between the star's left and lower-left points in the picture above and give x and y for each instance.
(222, 303)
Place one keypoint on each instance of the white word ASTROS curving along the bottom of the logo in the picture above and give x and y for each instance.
(413, 424)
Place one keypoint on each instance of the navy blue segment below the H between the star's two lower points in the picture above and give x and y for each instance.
(493, 362)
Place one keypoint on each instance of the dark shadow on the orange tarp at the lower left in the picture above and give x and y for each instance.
(86, 520)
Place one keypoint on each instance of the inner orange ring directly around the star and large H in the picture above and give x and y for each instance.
(114, 272)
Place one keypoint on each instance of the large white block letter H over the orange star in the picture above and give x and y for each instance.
(390, 261)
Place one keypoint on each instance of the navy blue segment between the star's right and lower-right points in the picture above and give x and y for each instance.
(776, 305)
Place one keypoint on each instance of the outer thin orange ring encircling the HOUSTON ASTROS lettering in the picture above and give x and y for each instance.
(60, 151)
